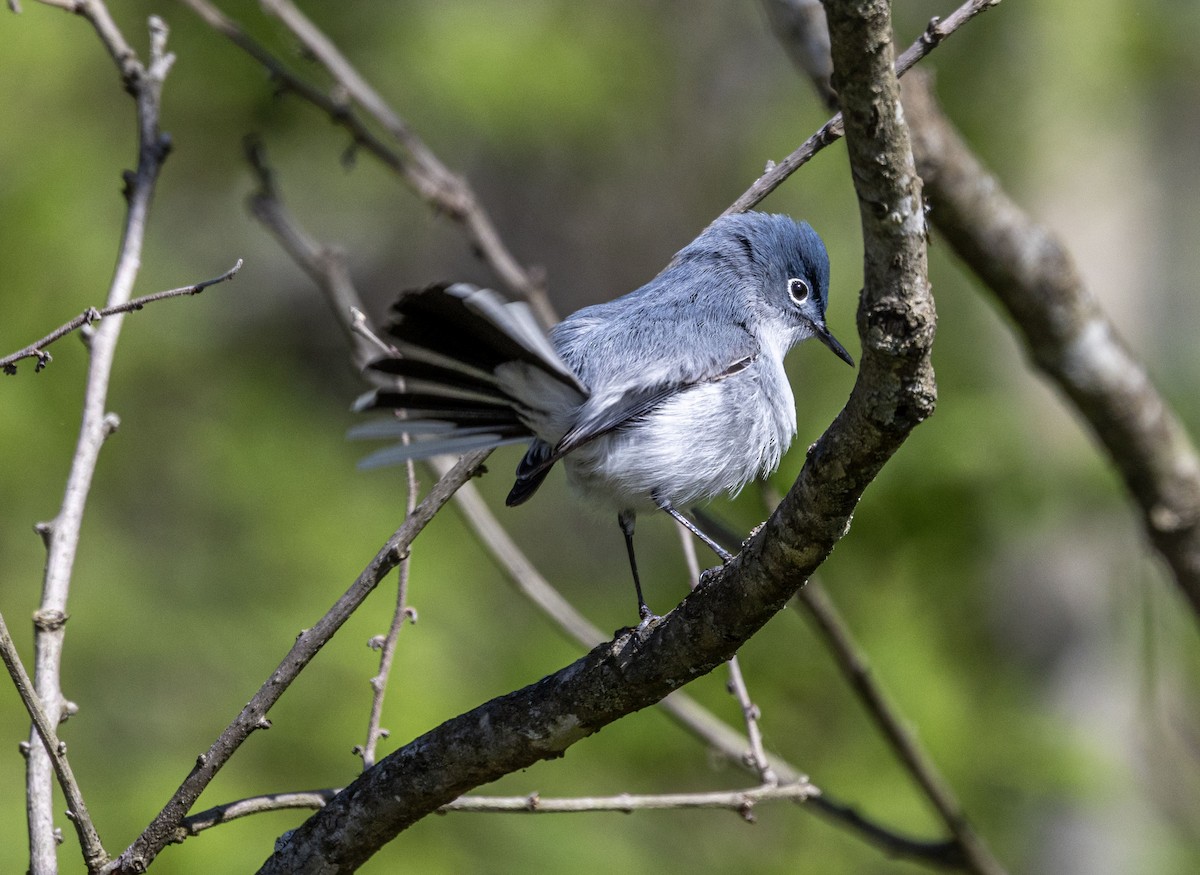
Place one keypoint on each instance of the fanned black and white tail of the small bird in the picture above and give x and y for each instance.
(478, 371)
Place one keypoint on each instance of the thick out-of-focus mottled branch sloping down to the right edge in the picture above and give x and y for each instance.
(1069, 338)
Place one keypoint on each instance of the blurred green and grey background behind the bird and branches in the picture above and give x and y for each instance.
(995, 573)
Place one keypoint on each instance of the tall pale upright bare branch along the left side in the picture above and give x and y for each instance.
(145, 83)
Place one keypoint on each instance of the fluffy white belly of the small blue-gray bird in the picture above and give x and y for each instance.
(713, 439)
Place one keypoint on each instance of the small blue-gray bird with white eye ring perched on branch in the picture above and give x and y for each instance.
(659, 399)
